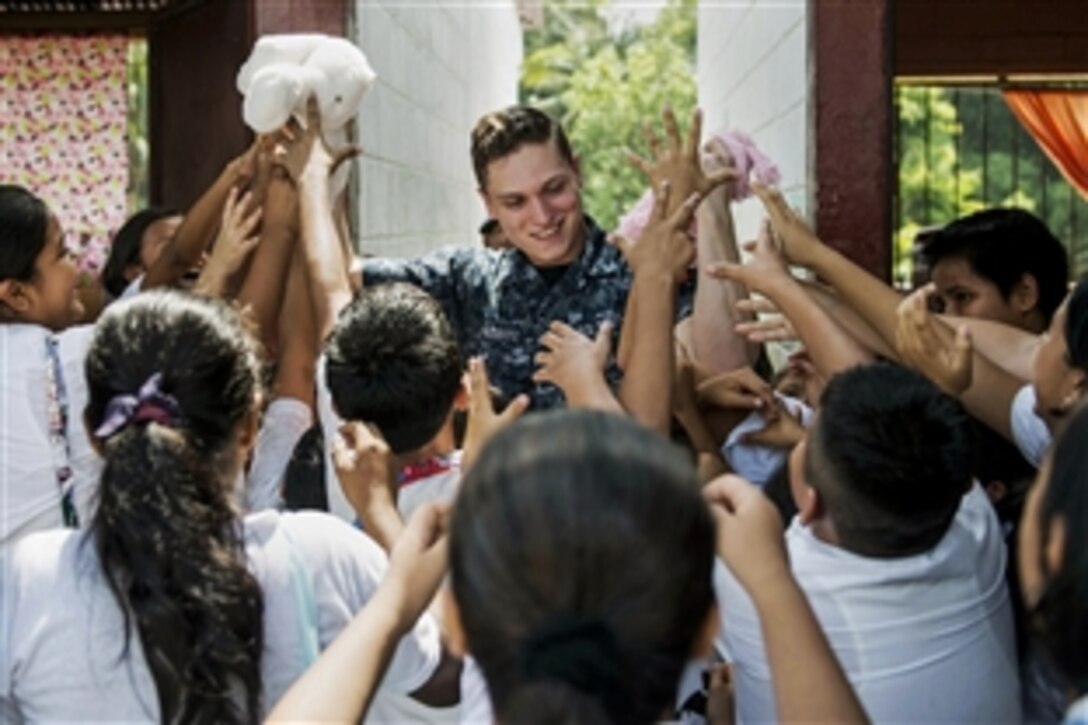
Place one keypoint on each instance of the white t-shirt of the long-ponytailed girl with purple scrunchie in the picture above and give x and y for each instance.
(60, 658)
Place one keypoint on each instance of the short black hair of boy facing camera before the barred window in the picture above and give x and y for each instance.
(1003, 245)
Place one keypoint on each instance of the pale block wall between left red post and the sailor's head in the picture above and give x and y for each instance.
(440, 67)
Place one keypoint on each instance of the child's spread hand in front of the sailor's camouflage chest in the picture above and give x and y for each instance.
(576, 365)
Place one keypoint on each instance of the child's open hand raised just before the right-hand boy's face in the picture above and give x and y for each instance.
(921, 347)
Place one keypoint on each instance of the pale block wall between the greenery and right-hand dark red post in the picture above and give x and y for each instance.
(753, 77)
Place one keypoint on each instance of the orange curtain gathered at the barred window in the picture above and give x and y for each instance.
(1058, 120)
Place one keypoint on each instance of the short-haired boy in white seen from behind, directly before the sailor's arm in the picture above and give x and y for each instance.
(393, 361)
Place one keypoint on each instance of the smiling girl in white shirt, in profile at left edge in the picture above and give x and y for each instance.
(47, 459)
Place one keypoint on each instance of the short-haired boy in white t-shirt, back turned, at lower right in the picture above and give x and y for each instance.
(900, 556)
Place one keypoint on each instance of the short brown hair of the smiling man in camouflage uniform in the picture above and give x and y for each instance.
(501, 133)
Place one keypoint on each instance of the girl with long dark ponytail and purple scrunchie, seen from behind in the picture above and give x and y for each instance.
(169, 607)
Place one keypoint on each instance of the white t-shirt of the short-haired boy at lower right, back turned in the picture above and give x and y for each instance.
(923, 640)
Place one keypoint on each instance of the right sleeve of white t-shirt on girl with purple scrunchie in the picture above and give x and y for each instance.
(348, 568)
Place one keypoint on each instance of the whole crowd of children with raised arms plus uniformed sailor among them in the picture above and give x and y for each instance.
(888, 530)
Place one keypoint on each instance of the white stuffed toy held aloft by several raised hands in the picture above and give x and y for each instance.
(283, 71)
